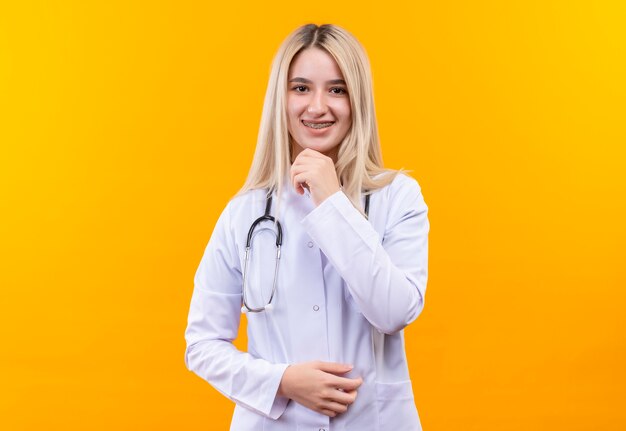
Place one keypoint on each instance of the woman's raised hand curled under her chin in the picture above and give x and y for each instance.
(316, 172)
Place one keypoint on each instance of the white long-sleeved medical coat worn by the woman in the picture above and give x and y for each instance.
(347, 286)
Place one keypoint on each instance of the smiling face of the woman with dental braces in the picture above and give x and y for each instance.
(318, 105)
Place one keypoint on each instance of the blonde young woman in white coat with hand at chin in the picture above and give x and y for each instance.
(324, 249)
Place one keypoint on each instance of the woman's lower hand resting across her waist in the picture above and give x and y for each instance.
(316, 385)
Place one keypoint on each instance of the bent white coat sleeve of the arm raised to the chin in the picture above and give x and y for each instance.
(386, 279)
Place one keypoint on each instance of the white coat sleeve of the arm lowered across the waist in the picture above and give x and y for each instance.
(213, 323)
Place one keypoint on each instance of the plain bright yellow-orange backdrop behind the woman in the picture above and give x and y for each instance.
(125, 126)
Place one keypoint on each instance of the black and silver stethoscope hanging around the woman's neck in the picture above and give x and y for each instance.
(279, 242)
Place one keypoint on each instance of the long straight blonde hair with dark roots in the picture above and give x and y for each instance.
(359, 161)
